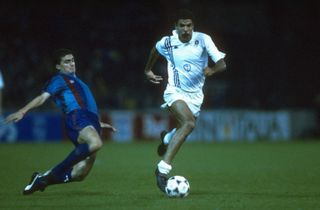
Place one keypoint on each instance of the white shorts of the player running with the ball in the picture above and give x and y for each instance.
(194, 100)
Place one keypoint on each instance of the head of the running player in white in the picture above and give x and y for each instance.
(184, 24)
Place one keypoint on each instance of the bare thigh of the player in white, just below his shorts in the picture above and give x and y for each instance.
(181, 111)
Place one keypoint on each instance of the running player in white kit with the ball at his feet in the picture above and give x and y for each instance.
(187, 53)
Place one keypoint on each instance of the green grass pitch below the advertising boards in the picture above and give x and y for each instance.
(222, 176)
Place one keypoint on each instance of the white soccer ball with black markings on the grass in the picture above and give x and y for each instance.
(177, 186)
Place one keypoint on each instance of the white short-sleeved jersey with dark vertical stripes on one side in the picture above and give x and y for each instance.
(186, 61)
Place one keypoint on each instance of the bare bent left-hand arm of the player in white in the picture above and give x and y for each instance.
(153, 57)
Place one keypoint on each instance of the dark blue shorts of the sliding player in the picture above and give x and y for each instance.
(78, 119)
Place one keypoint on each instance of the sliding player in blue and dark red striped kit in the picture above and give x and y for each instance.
(82, 123)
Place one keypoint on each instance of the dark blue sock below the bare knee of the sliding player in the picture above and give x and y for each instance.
(78, 154)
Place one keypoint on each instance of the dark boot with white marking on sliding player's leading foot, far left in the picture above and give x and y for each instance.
(37, 183)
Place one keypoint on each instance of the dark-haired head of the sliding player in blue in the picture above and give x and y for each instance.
(64, 60)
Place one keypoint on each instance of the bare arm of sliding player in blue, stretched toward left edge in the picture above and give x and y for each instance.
(37, 101)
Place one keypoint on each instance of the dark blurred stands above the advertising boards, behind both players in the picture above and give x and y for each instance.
(272, 50)
